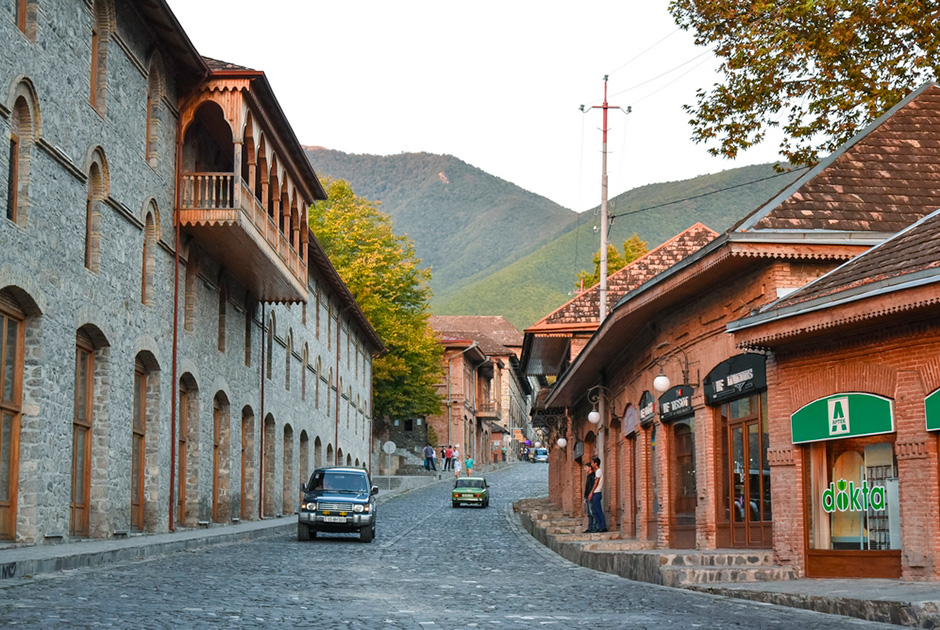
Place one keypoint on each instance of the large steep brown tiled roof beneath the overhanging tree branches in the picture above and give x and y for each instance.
(883, 180)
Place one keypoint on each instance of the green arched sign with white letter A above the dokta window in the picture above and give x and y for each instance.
(842, 416)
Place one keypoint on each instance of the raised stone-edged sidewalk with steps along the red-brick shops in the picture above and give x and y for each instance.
(913, 604)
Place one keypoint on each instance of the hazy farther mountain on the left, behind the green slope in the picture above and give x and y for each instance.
(464, 222)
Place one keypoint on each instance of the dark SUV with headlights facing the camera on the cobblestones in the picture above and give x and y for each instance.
(339, 499)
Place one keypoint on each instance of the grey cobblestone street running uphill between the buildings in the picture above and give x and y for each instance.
(430, 566)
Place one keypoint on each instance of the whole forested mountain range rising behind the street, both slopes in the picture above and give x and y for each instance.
(496, 249)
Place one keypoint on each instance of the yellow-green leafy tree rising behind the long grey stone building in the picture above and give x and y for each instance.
(384, 276)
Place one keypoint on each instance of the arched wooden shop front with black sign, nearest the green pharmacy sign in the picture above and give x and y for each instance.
(736, 390)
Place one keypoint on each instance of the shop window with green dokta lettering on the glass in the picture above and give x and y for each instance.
(854, 496)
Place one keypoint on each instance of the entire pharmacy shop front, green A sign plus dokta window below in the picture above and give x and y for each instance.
(853, 519)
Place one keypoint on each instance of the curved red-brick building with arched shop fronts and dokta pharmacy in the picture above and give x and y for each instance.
(702, 437)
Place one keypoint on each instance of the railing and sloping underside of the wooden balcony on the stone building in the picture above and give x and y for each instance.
(232, 226)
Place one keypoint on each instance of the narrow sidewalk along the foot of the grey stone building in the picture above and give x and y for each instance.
(22, 562)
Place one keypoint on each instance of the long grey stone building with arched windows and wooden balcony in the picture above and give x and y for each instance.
(176, 347)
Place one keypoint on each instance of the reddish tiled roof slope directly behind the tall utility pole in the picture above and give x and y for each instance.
(585, 307)
